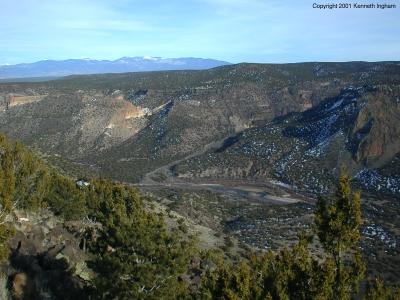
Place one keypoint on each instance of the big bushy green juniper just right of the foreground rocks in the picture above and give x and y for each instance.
(136, 257)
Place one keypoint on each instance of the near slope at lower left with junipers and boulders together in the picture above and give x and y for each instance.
(56, 234)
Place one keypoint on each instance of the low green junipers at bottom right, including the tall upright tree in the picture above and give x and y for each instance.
(296, 273)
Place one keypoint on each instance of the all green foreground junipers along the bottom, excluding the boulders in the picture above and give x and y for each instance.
(134, 255)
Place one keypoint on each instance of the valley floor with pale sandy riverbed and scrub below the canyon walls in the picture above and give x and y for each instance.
(234, 214)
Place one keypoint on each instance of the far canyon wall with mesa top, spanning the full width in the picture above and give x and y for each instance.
(126, 125)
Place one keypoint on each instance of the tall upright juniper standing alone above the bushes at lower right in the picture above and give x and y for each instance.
(337, 223)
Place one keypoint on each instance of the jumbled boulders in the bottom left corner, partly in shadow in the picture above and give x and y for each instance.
(45, 252)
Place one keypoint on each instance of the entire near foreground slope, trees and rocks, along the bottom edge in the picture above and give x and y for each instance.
(61, 239)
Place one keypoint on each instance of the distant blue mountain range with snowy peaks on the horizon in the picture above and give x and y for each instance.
(57, 68)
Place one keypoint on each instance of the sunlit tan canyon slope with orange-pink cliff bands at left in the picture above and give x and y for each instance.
(71, 124)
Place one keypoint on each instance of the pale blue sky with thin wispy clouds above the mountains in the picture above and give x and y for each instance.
(232, 30)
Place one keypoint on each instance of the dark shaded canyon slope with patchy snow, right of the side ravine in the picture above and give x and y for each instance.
(358, 129)
